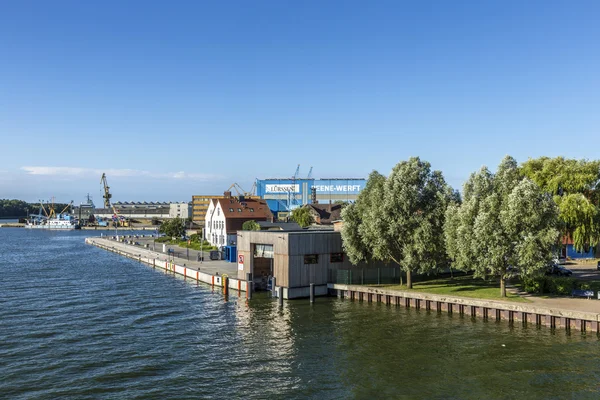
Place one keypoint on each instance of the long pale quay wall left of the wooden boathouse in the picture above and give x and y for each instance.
(185, 271)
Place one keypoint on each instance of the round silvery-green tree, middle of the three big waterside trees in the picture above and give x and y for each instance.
(504, 221)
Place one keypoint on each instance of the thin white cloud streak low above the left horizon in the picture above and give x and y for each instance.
(63, 172)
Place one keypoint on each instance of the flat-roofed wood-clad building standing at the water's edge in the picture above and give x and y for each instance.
(295, 258)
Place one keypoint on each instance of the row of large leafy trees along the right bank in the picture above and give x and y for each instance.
(513, 219)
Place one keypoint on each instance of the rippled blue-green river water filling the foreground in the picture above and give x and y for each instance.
(77, 322)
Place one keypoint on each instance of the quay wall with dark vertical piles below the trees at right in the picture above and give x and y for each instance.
(526, 314)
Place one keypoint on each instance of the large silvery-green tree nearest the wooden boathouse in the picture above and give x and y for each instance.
(400, 219)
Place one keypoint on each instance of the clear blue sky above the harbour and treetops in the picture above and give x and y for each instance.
(178, 98)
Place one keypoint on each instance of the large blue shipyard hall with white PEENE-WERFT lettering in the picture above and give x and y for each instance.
(284, 195)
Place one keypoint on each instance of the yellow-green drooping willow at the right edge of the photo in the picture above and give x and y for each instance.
(575, 185)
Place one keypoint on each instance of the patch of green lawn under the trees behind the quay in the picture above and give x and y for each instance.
(464, 286)
